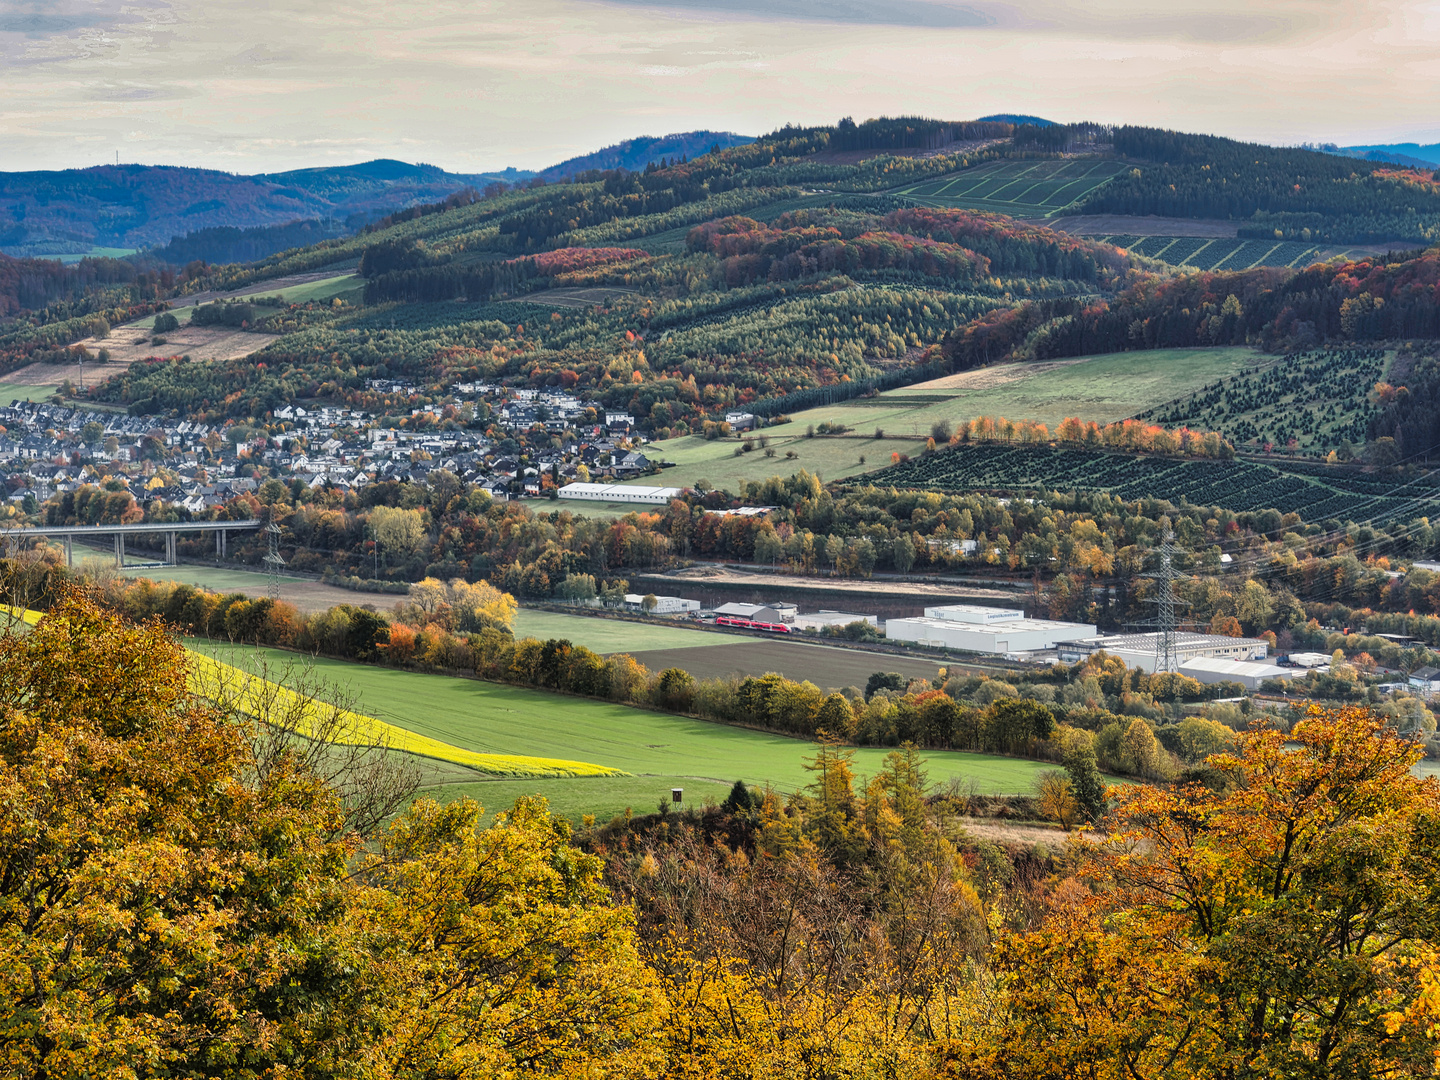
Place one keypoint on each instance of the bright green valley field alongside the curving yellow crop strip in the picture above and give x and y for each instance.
(662, 751)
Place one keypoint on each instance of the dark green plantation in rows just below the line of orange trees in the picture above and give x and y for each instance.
(1317, 493)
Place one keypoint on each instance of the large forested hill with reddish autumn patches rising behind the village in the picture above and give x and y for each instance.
(774, 276)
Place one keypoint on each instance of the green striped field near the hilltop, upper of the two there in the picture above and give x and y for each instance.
(1023, 189)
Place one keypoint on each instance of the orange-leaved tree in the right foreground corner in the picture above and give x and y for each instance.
(1274, 928)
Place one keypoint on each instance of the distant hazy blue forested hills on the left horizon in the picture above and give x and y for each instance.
(136, 207)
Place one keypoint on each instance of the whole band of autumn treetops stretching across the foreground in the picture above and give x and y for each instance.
(175, 902)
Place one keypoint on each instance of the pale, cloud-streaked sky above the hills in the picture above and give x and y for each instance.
(473, 86)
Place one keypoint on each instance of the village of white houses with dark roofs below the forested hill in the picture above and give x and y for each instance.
(184, 470)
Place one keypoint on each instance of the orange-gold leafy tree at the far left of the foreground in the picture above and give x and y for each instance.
(161, 908)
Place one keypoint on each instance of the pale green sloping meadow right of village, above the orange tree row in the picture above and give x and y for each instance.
(1104, 390)
